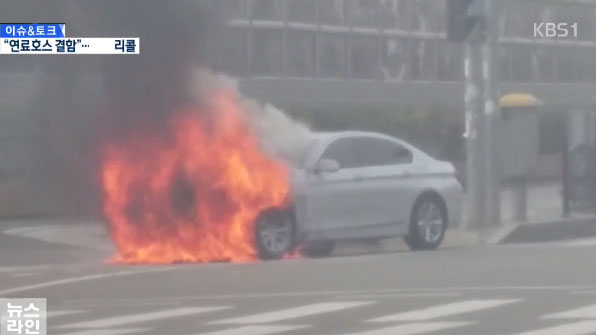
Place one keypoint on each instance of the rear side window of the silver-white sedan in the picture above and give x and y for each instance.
(379, 152)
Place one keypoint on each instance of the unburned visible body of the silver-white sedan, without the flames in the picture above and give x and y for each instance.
(362, 186)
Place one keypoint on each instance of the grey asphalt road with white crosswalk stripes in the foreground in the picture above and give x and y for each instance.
(515, 289)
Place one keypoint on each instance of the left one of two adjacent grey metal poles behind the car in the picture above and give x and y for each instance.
(475, 169)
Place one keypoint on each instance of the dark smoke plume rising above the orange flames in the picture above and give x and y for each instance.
(176, 38)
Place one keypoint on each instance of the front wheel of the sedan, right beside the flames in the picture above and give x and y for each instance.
(274, 234)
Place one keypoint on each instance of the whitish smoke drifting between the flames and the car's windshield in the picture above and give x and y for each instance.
(280, 135)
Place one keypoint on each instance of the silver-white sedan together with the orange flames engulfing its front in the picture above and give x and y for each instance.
(204, 187)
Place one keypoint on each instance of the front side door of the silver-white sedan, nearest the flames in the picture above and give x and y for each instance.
(334, 198)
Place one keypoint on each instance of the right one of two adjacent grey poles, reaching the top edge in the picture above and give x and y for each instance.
(491, 114)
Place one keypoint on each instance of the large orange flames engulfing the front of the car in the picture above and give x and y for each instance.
(192, 195)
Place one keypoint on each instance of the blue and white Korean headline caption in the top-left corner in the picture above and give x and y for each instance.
(51, 39)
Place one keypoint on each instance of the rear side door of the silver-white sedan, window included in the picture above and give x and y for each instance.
(387, 186)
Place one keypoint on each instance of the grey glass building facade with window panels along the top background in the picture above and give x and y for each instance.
(395, 41)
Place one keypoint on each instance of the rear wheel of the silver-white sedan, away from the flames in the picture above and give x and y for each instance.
(428, 222)
